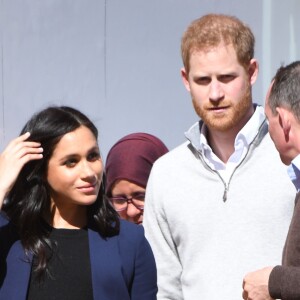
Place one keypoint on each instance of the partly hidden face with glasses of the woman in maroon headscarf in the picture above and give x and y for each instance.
(135, 194)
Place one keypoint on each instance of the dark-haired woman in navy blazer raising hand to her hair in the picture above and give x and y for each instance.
(59, 237)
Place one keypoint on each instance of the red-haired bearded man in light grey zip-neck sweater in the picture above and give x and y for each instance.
(219, 204)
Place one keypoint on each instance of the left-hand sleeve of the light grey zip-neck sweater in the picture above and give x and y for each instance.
(160, 238)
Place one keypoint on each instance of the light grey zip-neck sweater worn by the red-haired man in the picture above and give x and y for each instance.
(204, 246)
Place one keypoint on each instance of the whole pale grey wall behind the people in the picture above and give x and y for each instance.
(119, 60)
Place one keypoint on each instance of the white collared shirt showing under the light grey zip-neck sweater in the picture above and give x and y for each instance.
(241, 144)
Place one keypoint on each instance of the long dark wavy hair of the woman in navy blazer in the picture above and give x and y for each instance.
(28, 203)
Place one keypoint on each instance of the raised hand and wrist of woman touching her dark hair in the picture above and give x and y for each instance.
(17, 153)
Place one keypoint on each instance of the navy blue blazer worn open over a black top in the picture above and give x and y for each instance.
(123, 266)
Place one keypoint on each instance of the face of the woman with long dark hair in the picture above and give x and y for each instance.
(75, 170)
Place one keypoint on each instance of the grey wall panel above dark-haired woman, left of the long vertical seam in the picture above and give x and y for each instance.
(53, 53)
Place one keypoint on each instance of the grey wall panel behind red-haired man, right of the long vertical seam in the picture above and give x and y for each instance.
(144, 88)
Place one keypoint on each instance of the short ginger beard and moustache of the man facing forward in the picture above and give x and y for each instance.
(231, 117)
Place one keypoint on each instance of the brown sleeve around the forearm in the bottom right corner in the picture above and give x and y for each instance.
(284, 283)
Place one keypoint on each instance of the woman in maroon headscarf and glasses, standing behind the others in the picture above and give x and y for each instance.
(128, 167)
